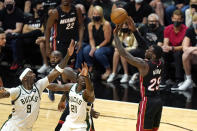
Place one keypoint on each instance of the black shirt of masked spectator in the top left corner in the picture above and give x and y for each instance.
(9, 20)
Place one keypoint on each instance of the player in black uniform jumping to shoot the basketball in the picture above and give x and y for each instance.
(150, 69)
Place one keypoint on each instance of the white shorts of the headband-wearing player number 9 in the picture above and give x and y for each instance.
(10, 126)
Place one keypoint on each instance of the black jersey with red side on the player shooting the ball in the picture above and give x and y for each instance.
(149, 84)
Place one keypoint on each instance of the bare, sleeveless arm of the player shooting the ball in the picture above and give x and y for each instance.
(135, 61)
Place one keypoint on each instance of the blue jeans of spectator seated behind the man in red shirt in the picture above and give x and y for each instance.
(169, 11)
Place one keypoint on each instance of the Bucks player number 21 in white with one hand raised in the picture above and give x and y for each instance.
(81, 94)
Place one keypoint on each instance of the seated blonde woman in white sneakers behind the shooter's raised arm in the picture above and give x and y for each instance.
(129, 42)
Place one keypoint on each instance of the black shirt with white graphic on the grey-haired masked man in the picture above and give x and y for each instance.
(153, 36)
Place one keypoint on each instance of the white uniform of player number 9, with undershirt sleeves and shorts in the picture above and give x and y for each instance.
(26, 107)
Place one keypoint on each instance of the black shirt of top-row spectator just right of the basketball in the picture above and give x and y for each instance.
(143, 11)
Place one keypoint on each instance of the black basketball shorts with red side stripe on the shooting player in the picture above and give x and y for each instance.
(149, 113)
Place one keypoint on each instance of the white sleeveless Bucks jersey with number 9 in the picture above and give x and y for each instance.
(26, 108)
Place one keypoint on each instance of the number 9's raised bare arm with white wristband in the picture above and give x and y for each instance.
(60, 67)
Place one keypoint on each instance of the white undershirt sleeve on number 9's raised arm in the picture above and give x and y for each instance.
(42, 84)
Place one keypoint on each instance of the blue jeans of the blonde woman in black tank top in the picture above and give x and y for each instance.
(101, 55)
